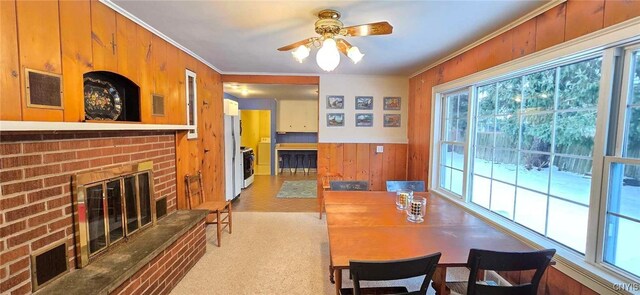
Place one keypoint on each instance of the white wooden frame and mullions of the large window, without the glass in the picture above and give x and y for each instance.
(588, 268)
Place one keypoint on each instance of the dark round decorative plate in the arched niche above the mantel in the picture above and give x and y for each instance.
(101, 100)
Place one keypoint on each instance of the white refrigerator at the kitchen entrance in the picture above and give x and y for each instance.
(233, 170)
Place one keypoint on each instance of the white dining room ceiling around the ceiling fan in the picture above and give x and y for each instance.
(242, 36)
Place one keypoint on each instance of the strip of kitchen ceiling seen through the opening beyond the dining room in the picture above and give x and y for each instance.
(276, 91)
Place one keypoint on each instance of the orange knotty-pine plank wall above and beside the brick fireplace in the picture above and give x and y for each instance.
(75, 37)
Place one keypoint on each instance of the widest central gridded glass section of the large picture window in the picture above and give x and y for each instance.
(533, 144)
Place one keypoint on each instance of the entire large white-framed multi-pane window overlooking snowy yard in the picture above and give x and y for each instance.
(549, 147)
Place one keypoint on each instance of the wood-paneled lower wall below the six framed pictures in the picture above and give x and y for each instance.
(359, 161)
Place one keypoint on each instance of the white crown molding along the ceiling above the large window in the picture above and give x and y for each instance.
(540, 10)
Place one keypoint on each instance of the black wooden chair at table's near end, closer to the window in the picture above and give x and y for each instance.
(503, 261)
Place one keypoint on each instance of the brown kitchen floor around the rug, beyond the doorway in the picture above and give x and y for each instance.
(261, 195)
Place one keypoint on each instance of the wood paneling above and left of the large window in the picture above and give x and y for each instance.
(564, 22)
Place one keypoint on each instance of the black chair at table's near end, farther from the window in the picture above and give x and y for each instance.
(391, 270)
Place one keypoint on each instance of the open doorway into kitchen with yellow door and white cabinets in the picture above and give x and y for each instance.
(280, 128)
